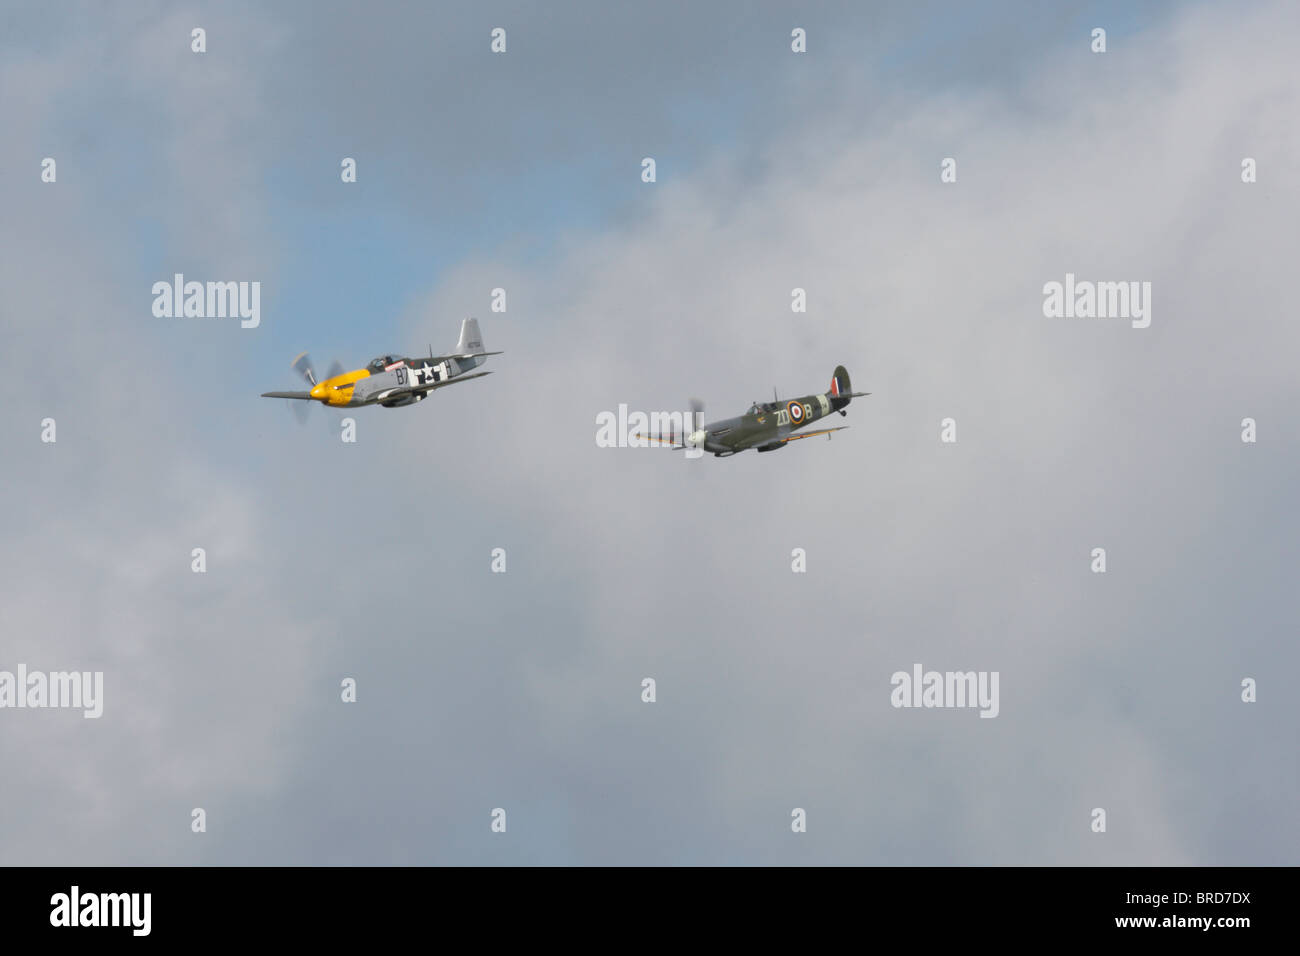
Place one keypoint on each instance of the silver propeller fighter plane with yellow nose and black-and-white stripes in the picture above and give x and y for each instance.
(393, 380)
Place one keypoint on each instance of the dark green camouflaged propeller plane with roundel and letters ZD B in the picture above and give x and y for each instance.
(768, 426)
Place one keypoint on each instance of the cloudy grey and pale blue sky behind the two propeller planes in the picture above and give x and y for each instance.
(523, 690)
